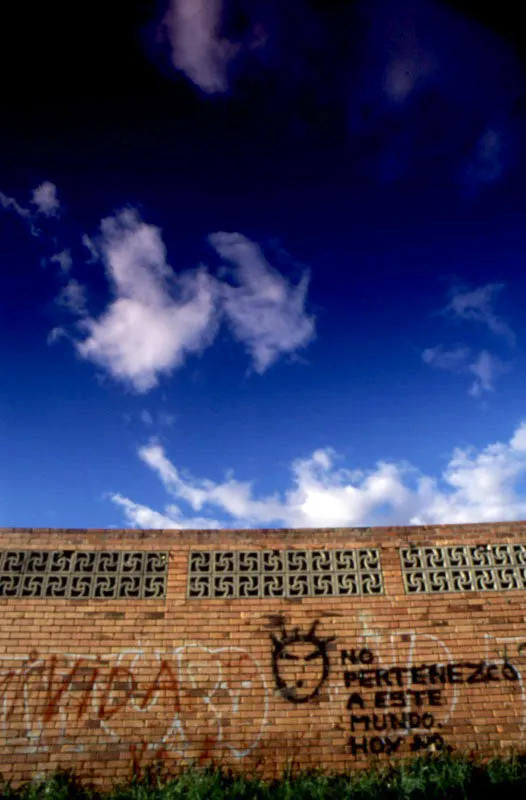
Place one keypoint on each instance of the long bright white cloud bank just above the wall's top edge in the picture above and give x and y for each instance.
(476, 486)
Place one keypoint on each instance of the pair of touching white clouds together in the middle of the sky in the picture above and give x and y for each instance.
(157, 317)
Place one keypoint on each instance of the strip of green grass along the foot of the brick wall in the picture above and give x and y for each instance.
(434, 777)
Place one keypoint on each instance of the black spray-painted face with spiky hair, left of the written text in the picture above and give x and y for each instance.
(300, 663)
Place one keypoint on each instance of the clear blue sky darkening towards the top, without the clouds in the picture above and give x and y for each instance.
(390, 203)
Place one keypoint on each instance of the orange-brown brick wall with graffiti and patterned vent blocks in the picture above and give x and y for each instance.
(305, 670)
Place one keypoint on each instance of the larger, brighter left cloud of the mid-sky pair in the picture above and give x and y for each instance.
(145, 332)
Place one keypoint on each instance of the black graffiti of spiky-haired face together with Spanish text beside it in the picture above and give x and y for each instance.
(395, 698)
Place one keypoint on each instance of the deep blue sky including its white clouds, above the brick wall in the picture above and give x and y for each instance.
(307, 313)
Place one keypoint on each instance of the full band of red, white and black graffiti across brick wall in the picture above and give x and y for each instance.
(392, 692)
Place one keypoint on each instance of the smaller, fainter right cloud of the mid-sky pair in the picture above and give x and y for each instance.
(265, 312)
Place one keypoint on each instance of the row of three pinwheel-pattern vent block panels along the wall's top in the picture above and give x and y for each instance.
(238, 574)
